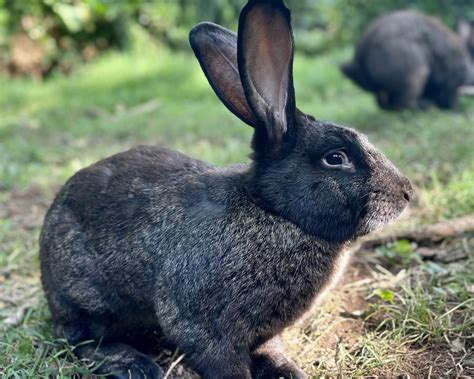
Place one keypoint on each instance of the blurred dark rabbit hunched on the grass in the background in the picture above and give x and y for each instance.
(410, 60)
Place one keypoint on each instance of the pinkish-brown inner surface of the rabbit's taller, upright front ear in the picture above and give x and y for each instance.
(269, 51)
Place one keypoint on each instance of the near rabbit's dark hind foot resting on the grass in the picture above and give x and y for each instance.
(120, 361)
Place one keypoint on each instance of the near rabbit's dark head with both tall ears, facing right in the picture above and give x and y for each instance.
(327, 179)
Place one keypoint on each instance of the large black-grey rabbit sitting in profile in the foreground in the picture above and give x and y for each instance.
(218, 261)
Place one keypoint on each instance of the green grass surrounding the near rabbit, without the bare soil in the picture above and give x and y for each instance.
(49, 130)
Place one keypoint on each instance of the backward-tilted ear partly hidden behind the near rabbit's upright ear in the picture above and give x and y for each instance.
(215, 48)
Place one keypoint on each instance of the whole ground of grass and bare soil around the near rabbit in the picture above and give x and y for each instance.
(396, 312)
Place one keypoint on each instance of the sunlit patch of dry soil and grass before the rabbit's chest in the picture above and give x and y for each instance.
(414, 319)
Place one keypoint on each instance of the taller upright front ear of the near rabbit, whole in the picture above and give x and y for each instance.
(265, 55)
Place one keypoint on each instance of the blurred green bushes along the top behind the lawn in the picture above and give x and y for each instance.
(38, 37)
